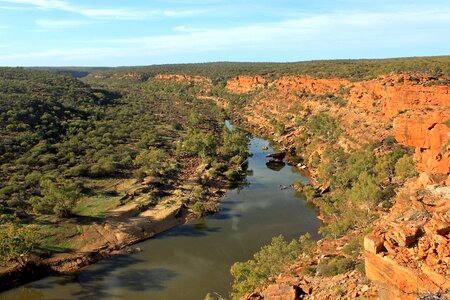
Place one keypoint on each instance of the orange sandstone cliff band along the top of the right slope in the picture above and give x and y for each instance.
(374, 106)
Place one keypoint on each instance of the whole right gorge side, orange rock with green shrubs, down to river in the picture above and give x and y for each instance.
(364, 143)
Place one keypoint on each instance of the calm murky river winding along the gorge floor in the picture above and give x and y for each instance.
(193, 259)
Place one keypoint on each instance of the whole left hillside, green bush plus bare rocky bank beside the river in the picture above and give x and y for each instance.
(88, 171)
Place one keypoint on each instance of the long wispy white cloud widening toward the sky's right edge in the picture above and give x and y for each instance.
(341, 30)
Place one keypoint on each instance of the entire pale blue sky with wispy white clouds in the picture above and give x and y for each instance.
(132, 32)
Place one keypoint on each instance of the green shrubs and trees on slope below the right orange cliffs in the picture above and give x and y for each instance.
(359, 181)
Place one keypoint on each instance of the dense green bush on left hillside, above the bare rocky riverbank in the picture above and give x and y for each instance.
(65, 145)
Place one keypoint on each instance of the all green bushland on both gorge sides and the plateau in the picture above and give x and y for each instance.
(66, 144)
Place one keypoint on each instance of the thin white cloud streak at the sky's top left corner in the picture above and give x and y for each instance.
(103, 13)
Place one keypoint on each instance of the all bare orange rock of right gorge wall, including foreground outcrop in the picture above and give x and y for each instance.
(408, 251)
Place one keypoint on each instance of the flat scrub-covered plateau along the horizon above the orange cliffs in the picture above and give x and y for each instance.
(351, 69)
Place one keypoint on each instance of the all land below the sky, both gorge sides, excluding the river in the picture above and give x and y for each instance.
(94, 164)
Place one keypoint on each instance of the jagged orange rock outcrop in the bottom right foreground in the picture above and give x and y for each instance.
(408, 253)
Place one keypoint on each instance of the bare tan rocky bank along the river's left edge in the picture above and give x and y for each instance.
(124, 227)
